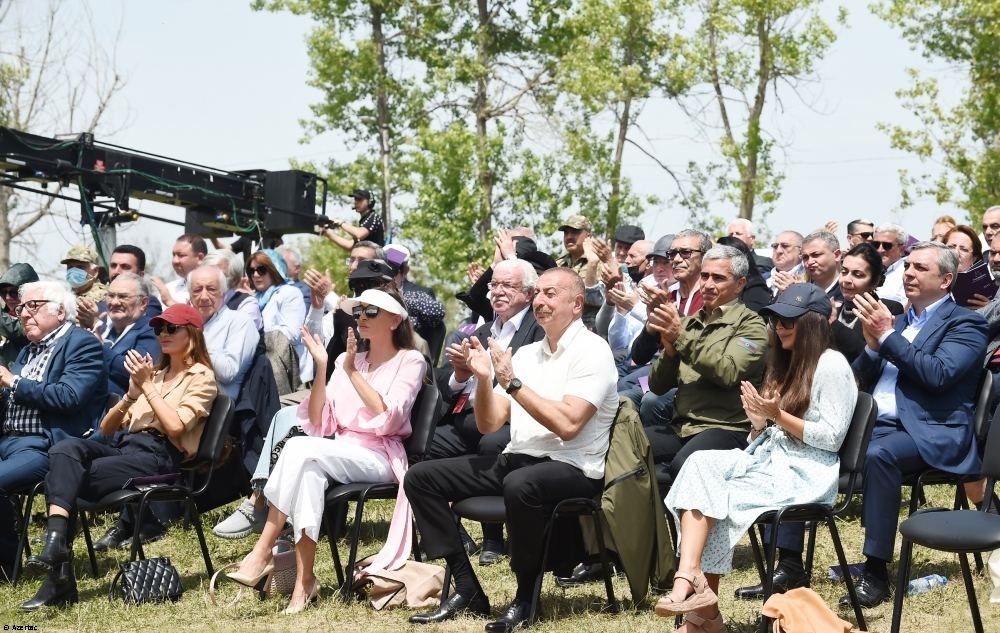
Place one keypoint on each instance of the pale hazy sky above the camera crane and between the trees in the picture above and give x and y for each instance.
(218, 84)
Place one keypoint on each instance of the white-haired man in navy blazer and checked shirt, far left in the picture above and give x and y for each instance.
(57, 388)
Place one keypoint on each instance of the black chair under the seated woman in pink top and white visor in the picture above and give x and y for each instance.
(423, 419)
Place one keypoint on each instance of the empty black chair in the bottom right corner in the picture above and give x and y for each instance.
(962, 532)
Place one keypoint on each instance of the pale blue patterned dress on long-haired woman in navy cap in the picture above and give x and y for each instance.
(735, 487)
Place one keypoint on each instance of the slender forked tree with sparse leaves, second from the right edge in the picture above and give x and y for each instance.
(741, 52)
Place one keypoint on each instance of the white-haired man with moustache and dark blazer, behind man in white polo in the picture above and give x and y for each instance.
(511, 290)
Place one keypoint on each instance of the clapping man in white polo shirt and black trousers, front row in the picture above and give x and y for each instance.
(560, 396)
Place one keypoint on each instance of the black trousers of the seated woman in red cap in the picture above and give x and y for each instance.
(84, 468)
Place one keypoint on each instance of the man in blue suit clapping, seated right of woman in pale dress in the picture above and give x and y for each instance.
(923, 371)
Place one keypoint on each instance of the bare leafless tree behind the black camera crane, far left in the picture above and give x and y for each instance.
(55, 77)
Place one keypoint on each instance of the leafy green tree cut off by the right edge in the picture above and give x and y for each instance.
(959, 132)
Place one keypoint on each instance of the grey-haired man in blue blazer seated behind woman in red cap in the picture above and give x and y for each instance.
(128, 328)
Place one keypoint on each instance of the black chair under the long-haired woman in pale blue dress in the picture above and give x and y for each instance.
(852, 462)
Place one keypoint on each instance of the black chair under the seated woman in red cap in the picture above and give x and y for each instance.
(196, 475)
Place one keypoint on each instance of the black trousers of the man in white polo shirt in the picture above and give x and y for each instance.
(531, 487)
